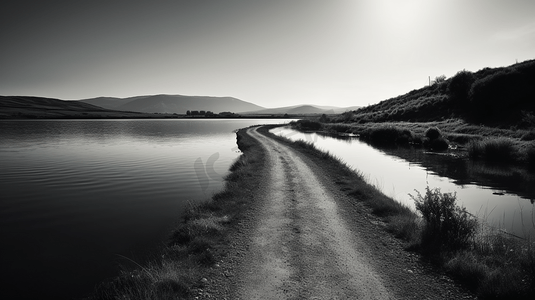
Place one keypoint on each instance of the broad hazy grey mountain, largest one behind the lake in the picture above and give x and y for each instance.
(173, 104)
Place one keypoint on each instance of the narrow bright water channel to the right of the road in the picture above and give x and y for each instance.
(501, 196)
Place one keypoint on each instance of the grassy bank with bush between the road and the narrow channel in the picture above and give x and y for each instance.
(490, 262)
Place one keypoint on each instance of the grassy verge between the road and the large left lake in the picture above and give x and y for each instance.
(198, 241)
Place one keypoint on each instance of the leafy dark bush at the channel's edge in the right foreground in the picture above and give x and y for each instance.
(447, 226)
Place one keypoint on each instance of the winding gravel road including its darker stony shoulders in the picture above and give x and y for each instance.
(306, 240)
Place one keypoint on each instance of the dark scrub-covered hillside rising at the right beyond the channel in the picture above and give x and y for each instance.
(498, 97)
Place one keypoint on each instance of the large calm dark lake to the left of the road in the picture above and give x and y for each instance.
(77, 195)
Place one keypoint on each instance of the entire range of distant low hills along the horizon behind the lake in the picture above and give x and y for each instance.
(40, 107)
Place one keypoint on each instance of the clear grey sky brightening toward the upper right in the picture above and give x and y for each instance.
(268, 52)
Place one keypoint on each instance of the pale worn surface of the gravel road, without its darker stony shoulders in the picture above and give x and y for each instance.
(300, 246)
